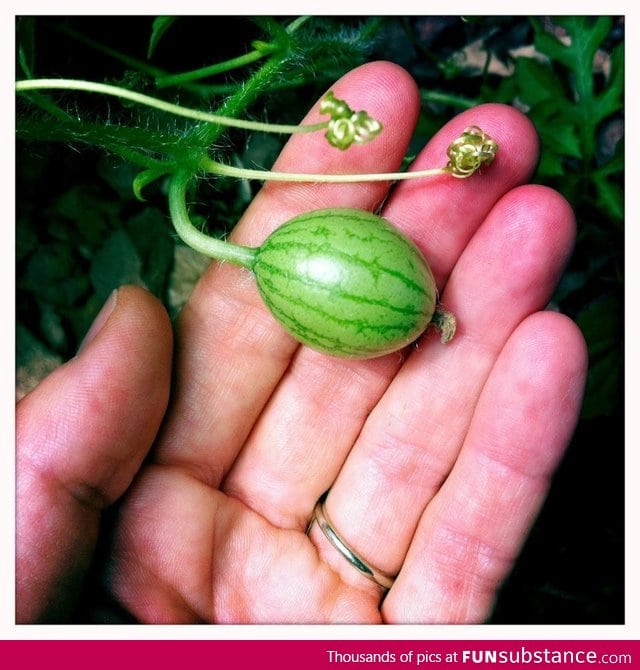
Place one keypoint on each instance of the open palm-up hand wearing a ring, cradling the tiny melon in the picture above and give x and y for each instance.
(438, 460)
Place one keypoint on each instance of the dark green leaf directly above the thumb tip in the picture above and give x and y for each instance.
(115, 264)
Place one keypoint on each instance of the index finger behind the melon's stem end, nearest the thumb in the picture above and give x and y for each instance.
(231, 353)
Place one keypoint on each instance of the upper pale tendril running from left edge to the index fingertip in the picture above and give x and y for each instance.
(142, 99)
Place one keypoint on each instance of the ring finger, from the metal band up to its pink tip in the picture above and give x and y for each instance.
(411, 439)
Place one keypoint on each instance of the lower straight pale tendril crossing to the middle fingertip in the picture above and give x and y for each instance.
(214, 167)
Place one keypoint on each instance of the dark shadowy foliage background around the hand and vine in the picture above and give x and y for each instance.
(80, 231)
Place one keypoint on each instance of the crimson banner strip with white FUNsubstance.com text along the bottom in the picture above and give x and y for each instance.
(315, 654)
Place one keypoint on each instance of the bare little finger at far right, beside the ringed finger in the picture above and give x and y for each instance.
(472, 531)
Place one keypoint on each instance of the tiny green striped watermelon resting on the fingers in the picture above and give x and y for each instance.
(346, 282)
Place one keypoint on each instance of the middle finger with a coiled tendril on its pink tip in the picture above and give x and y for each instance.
(315, 415)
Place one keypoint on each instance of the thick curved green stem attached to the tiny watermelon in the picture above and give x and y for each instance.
(209, 246)
